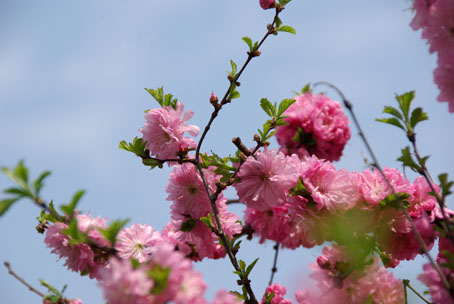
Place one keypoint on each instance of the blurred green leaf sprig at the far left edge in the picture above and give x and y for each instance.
(20, 176)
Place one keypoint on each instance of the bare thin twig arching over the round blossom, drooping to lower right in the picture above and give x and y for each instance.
(376, 164)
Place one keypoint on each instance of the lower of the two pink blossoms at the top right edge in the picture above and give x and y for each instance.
(444, 76)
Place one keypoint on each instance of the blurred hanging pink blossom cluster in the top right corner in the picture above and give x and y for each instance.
(436, 19)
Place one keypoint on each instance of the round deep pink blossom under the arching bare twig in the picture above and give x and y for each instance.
(316, 125)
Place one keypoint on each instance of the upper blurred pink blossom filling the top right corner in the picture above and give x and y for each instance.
(439, 29)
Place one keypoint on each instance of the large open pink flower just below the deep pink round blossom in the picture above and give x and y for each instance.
(266, 179)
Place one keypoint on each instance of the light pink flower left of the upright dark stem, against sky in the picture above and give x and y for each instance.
(164, 129)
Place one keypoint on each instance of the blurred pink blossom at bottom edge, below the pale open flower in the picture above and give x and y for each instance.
(124, 285)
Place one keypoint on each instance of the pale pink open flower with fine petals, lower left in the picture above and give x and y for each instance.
(136, 241)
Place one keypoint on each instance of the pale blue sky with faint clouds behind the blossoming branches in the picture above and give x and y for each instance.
(72, 79)
